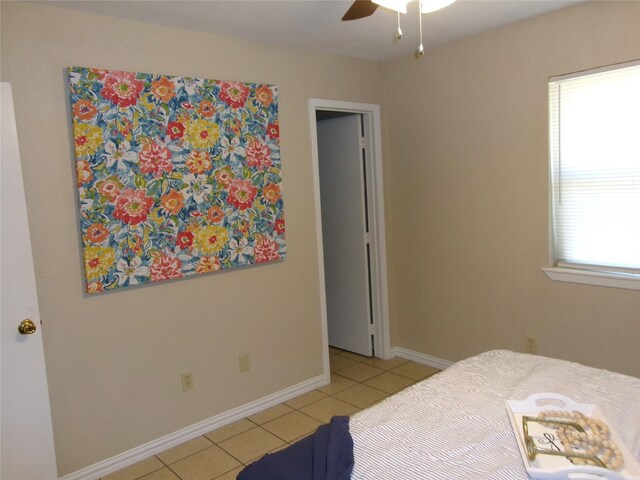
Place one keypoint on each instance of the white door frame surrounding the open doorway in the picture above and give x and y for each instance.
(379, 286)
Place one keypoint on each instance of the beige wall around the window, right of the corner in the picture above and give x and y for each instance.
(468, 203)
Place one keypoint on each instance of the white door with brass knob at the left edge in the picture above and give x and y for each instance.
(27, 437)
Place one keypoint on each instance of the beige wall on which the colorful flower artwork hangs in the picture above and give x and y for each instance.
(114, 360)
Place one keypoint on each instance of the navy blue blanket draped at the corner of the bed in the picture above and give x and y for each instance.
(325, 455)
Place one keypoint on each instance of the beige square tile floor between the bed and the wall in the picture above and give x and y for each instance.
(357, 382)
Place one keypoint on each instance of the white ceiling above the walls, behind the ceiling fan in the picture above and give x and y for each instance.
(317, 25)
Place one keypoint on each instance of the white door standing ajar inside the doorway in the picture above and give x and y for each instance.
(344, 229)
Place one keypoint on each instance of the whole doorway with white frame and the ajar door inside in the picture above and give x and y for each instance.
(356, 276)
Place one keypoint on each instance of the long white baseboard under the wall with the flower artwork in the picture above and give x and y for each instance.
(100, 469)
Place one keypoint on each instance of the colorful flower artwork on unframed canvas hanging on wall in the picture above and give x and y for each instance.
(176, 176)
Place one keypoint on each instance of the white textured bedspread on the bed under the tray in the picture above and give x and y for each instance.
(455, 426)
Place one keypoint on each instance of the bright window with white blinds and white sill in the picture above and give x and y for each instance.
(594, 132)
